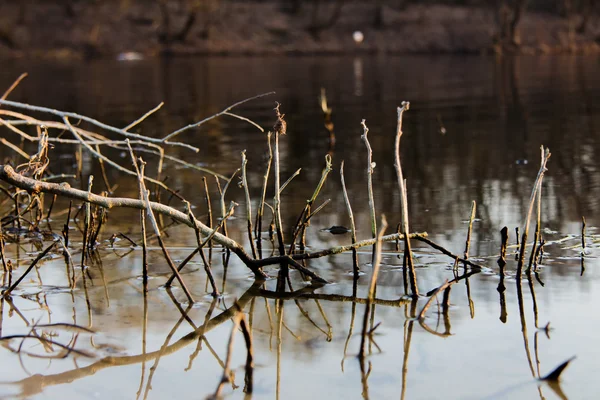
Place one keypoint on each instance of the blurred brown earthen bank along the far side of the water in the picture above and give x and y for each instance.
(84, 29)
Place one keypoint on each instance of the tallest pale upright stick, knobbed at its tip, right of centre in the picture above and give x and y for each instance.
(404, 202)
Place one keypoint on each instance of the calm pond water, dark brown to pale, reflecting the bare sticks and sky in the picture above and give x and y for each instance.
(495, 114)
